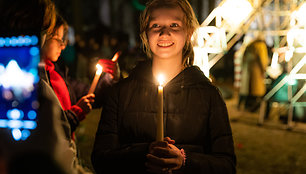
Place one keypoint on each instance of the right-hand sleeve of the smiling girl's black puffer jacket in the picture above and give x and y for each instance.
(219, 156)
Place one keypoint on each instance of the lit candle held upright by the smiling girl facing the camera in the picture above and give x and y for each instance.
(160, 114)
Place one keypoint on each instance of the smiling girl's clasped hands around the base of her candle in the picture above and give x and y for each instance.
(163, 157)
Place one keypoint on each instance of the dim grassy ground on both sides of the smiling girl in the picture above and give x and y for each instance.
(266, 149)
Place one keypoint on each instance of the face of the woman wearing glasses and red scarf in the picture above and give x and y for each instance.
(54, 46)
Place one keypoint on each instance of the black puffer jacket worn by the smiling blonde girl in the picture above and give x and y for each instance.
(195, 116)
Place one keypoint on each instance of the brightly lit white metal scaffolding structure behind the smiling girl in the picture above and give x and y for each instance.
(279, 19)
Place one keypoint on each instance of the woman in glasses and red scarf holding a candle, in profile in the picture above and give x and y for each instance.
(75, 111)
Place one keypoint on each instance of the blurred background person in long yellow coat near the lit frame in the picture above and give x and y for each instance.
(254, 64)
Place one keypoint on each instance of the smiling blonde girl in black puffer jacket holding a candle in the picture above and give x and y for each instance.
(196, 126)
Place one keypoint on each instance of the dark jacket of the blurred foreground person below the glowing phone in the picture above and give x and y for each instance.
(49, 144)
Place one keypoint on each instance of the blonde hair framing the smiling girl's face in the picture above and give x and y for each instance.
(190, 21)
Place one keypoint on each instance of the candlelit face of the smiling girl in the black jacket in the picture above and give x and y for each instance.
(167, 33)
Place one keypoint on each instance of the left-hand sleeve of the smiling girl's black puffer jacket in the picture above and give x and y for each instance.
(109, 155)
